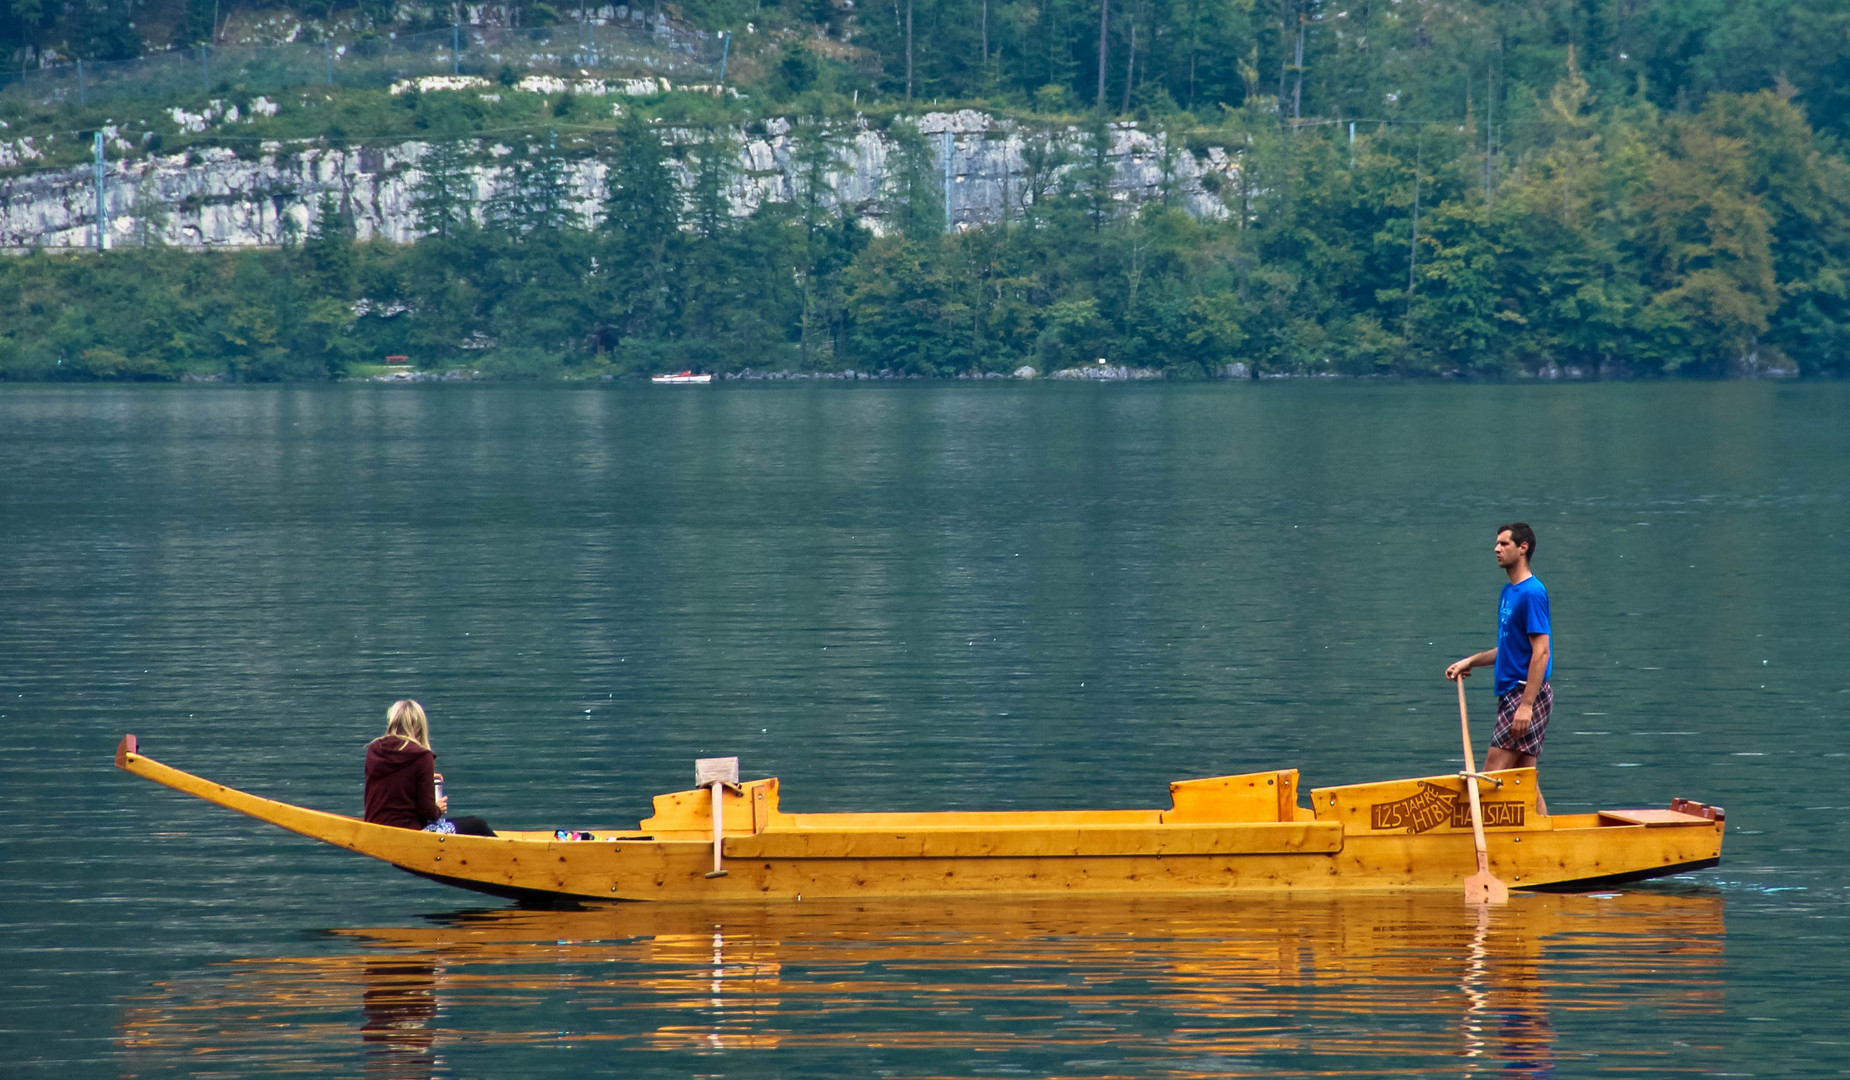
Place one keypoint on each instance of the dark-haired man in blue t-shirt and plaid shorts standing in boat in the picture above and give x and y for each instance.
(1522, 657)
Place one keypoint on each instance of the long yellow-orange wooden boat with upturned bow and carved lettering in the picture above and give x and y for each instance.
(1220, 835)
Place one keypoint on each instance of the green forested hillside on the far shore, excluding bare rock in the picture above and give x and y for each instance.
(1614, 188)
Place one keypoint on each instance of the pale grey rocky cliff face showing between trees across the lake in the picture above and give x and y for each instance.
(217, 199)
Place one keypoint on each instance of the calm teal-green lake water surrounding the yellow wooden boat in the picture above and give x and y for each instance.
(913, 598)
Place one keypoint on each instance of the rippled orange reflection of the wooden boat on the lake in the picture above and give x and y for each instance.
(1381, 985)
